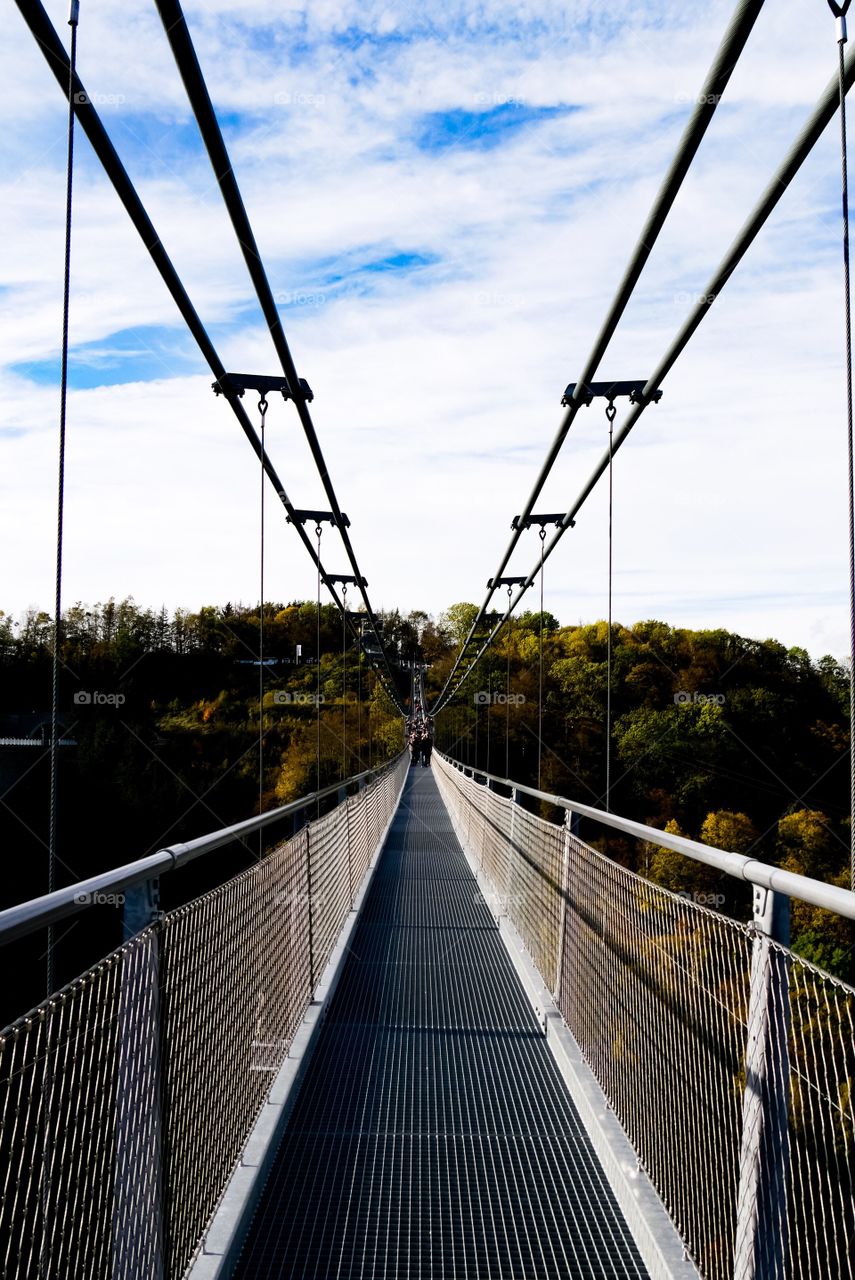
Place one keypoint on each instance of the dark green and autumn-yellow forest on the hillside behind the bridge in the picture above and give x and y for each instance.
(739, 743)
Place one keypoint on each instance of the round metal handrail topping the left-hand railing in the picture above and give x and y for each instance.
(16, 922)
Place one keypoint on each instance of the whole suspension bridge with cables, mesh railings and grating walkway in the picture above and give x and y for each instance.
(431, 1031)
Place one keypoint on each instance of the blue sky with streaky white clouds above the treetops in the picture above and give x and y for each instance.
(446, 199)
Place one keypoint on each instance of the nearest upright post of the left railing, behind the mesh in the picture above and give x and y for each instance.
(139, 1236)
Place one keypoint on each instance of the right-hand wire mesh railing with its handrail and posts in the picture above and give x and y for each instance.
(729, 1059)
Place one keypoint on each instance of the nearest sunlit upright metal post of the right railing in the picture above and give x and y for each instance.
(762, 1245)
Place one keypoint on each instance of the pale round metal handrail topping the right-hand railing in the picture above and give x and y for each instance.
(833, 898)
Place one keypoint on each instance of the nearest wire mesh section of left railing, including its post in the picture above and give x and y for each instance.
(80, 1160)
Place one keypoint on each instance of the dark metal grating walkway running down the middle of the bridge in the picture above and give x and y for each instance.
(433, 1136)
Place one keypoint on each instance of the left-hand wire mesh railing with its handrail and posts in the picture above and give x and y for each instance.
(126, 1099)
